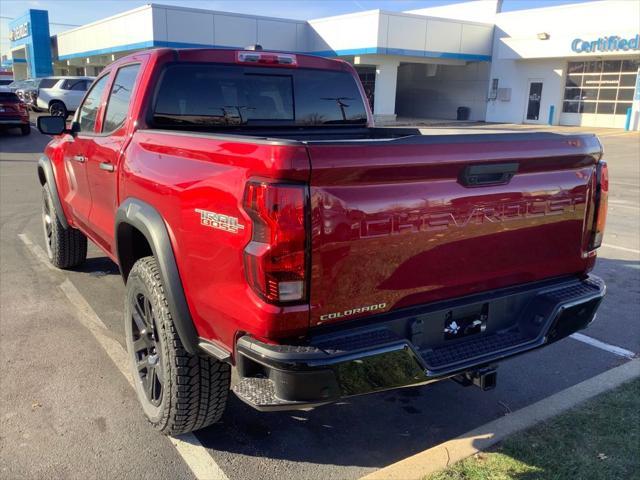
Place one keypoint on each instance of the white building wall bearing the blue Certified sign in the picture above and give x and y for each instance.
(519, 55)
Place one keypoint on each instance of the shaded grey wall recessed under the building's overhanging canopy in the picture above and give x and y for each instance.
(436, 91)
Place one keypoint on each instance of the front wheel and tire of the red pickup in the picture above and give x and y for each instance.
(66, 247)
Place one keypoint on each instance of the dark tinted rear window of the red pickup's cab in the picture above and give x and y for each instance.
(205, 95)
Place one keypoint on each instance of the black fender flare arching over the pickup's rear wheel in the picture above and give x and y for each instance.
(146, 219)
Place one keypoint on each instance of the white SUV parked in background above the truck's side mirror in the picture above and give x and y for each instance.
(60, 95)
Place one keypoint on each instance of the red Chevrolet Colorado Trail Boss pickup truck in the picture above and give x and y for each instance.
(261, 223)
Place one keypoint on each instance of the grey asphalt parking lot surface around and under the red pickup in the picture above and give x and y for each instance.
(67, 412)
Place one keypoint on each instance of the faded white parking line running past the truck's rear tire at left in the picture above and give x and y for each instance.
(201, 463)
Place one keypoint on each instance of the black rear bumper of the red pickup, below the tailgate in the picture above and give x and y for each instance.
(408, 348)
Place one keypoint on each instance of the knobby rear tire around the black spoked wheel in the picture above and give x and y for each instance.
(194, 388)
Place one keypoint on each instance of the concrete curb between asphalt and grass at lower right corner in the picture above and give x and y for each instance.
(470, 443)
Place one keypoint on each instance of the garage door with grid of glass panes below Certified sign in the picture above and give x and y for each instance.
(598, 91)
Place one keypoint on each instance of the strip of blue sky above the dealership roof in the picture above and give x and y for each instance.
(65, 14)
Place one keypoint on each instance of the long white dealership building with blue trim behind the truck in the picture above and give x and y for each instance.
(575, 64)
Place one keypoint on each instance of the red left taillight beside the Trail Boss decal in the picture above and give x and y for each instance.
(276, 258)
